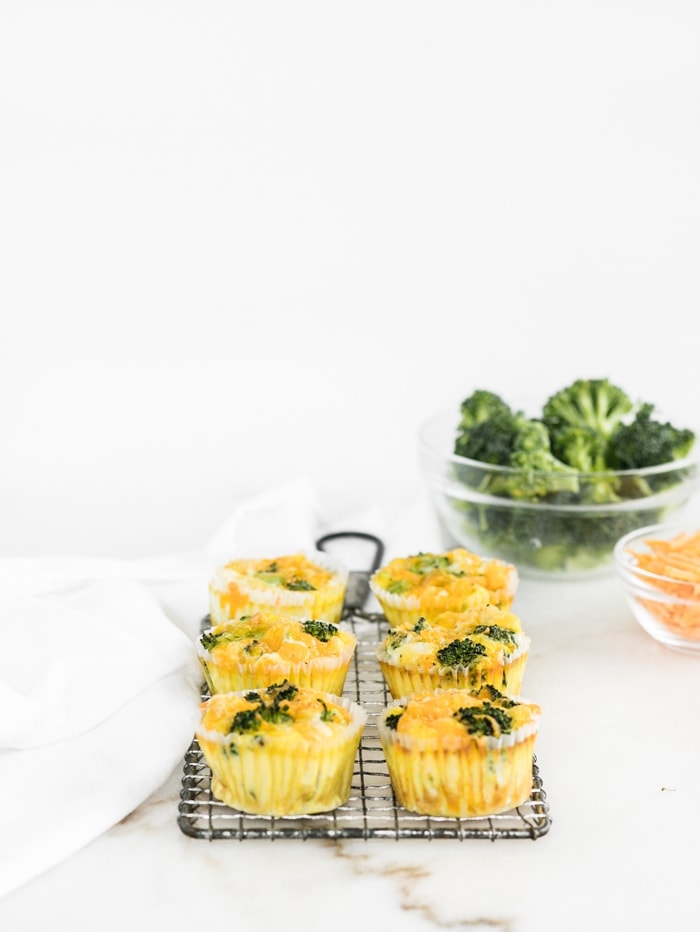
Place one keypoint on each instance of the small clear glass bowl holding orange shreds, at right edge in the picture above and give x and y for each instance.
(666, 604)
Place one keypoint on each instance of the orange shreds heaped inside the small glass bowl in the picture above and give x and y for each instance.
(675, 565)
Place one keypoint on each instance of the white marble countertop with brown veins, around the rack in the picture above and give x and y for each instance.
(619, 759)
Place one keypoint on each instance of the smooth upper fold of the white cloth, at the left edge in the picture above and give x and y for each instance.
(69, 659)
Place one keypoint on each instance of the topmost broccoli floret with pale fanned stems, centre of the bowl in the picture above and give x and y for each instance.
(594, 403)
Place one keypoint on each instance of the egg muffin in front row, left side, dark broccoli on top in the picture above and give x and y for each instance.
(281, 750)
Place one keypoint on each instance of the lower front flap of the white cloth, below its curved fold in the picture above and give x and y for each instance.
(65, 794)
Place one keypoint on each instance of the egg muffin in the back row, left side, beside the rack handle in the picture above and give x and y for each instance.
(309, 584)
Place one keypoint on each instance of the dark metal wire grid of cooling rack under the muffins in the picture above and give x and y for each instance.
(371, 810)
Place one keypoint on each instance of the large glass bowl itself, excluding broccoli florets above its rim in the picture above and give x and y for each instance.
(559, 535)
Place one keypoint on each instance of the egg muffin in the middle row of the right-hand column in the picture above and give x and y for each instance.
(464, 650)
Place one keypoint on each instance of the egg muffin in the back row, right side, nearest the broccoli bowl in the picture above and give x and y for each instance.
(425, 584)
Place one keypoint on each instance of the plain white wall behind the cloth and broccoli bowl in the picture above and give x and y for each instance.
(242, 242)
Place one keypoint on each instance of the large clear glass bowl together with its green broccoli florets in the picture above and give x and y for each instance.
(553, 493)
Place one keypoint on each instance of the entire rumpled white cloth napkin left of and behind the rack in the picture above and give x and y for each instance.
(99, 681)
